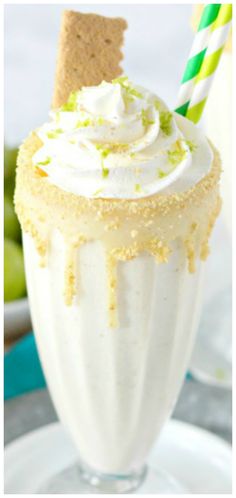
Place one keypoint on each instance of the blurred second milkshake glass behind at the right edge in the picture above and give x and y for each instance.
(212, 356)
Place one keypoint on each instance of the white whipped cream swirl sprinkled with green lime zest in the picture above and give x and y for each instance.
(118, 140)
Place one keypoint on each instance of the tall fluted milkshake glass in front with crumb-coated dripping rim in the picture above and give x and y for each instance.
(115, 295)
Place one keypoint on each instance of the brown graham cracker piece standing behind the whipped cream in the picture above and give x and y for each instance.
(89, 52)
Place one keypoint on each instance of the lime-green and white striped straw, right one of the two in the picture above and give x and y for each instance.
(196, 96)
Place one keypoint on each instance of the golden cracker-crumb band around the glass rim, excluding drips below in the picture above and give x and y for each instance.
(29, 180)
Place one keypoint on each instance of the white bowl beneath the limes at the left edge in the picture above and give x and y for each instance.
(16, 318)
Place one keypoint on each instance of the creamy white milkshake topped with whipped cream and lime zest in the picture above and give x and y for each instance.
(117, 197)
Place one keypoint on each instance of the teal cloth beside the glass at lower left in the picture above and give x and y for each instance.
(22, 368)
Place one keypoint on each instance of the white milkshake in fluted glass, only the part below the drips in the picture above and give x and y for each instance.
(114, 389)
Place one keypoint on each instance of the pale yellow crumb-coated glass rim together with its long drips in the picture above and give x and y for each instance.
(126, 228)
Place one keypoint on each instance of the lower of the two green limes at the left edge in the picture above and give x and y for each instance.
(14, 274)
